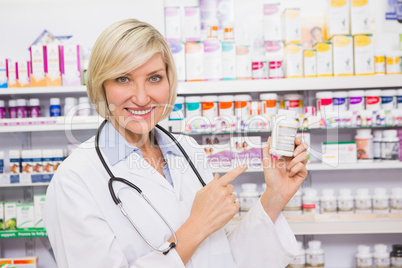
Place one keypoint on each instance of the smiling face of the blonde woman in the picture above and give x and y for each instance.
(137, 99)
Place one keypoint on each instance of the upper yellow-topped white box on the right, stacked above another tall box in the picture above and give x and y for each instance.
(360, 17)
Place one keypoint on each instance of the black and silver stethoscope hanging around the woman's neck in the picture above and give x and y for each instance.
(132, 185)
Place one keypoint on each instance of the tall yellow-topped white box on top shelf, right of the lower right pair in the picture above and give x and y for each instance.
(364, 54)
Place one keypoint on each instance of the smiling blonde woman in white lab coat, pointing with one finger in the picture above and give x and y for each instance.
(132, 83)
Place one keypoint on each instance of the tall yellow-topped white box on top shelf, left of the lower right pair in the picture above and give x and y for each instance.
(343, 55)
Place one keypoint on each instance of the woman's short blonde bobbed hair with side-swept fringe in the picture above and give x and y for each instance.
(122, 47)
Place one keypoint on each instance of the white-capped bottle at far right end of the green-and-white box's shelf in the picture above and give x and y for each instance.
(390, 145)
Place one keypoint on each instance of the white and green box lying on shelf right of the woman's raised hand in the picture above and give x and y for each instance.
(339, 152)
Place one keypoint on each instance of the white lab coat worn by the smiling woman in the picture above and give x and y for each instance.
(87, 229)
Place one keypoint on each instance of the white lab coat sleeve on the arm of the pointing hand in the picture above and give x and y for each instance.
(80, 236)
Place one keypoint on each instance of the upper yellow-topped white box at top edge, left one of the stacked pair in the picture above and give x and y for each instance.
(338, 18)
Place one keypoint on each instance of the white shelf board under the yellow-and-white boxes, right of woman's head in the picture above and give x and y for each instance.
(276, 85)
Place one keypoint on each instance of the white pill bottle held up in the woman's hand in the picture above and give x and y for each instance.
(283, 134)
